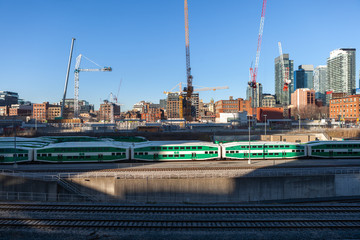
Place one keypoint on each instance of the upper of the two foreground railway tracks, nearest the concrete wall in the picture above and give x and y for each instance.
(277, 209)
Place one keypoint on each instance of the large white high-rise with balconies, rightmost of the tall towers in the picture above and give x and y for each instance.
(341, 70)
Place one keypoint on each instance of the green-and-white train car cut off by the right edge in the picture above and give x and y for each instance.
(334, 149)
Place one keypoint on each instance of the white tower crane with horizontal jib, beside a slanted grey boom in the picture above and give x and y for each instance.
(76, 85)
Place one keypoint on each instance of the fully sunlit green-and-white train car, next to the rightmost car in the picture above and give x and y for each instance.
(263, 150)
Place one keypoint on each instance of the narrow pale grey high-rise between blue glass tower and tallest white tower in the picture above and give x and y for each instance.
(321, 82)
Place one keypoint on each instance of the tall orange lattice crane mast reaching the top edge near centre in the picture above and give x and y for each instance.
(189, 89)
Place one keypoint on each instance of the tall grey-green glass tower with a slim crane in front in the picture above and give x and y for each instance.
(283, 97)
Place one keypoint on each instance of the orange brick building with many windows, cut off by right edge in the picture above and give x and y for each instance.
(345, 109)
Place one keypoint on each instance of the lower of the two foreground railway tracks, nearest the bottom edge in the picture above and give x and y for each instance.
(174, 224)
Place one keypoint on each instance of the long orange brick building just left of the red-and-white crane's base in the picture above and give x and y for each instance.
(233, 106)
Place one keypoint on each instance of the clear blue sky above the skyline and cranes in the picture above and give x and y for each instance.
(143, 41)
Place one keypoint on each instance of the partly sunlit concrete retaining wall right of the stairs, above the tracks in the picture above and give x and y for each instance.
(222, 189)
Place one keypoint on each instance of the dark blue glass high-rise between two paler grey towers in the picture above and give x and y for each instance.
(303, 77)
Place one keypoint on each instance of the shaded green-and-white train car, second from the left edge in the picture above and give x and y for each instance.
(105, 151)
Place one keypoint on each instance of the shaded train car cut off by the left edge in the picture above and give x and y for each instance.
(10, 154)
